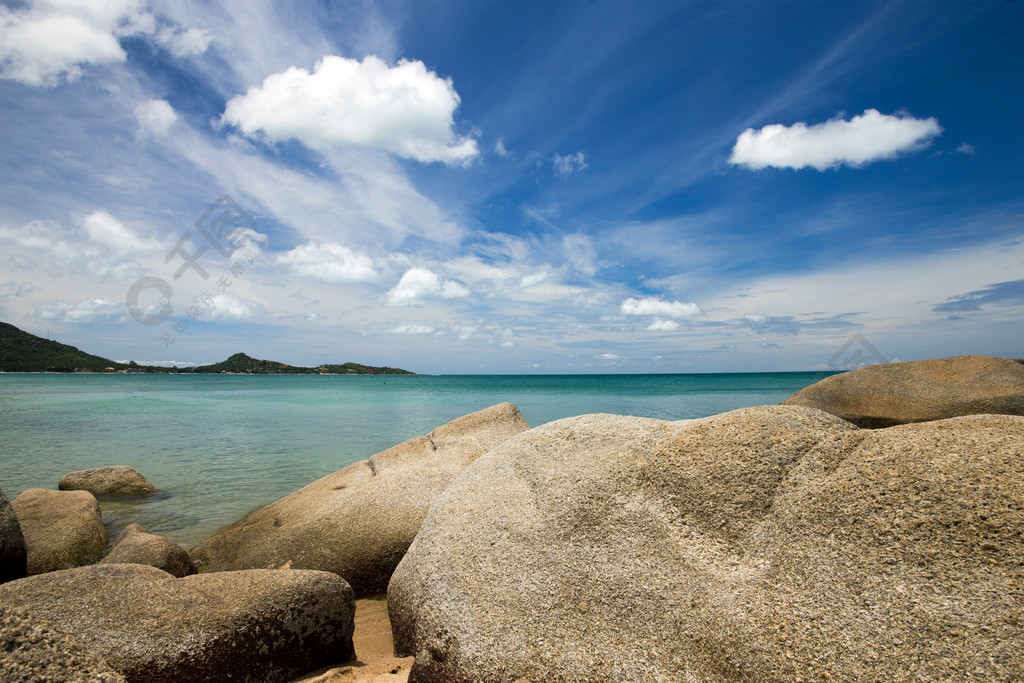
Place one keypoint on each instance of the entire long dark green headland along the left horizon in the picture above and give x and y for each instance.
(25, 353)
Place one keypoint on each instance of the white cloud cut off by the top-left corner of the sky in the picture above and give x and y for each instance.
(49, 40)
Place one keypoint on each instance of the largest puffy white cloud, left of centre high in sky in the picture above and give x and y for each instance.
(405, 109)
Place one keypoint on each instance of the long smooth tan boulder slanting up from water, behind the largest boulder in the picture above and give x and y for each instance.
(359, 522)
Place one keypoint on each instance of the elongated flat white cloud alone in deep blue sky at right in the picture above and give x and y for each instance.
(863, 140)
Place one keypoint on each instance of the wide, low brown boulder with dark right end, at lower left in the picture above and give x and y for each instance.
(243, 626)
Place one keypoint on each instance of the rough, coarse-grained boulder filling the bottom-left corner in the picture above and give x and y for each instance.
(32, 651)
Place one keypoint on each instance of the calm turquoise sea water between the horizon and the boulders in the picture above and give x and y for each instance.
(220, 446)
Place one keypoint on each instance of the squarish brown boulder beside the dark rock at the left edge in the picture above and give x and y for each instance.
(63, 529)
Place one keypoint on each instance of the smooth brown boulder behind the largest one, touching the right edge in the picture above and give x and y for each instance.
(902, 393)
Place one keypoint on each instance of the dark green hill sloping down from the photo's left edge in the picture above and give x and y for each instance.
(23, 353)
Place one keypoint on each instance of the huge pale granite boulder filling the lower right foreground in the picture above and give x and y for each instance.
(776, 543)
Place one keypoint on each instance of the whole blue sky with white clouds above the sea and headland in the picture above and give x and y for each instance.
(513, 187)
